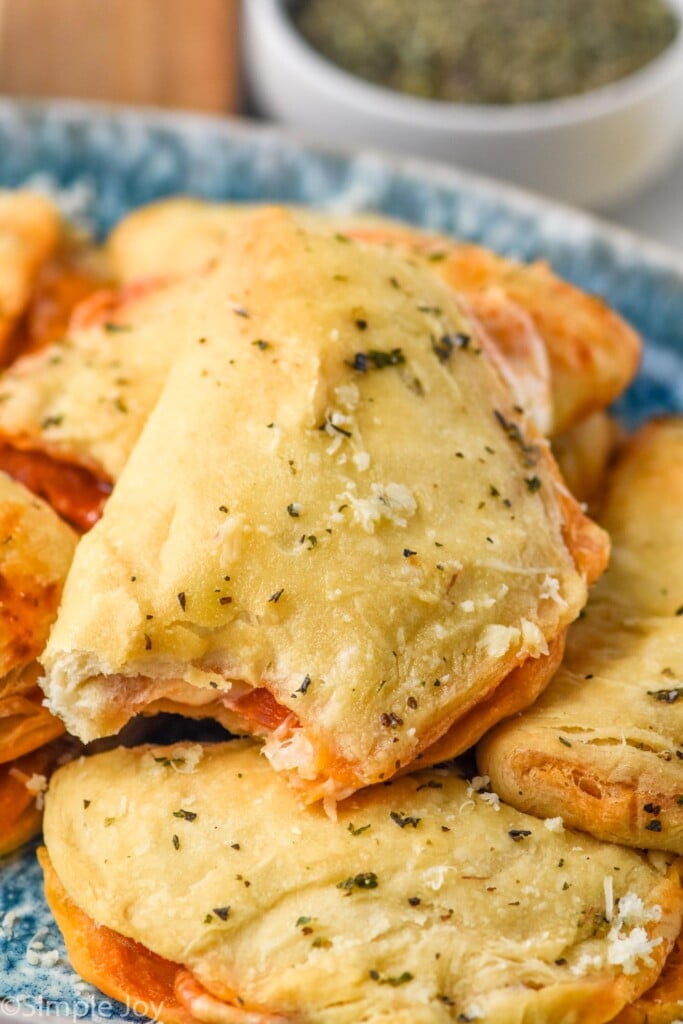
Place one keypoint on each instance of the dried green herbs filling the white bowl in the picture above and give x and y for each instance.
(489, 52)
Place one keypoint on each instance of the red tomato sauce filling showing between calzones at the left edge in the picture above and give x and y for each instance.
(75, 493)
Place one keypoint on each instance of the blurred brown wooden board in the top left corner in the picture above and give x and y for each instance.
(164, 53)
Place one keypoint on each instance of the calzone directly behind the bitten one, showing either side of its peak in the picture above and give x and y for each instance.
(577, 353)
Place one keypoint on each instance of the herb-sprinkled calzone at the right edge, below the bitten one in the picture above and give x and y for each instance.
(604, 746)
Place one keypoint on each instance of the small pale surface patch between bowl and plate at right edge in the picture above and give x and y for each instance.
(657, 212)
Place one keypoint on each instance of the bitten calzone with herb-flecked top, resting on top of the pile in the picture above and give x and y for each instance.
(334, 532)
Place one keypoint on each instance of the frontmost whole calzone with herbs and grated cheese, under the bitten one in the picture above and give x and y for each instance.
(425, 903)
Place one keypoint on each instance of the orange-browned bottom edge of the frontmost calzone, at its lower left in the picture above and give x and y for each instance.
(132, 973)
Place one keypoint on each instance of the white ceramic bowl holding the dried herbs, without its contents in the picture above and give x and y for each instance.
(593, 150)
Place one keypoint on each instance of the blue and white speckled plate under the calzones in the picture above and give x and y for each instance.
(102, 162)
